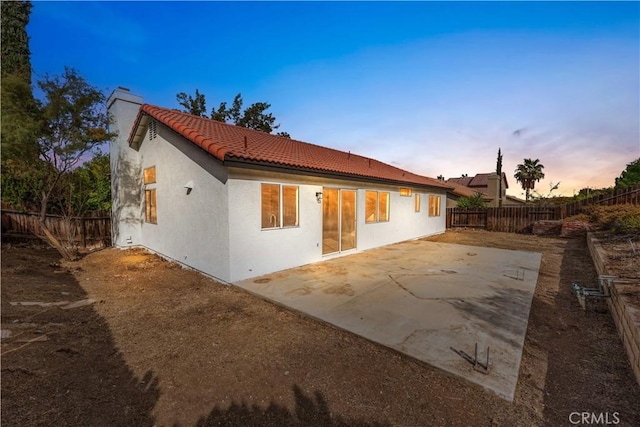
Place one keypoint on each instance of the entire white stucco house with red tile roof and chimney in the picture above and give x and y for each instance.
(236, 203)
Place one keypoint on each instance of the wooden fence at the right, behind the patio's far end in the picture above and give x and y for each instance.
(517, 219)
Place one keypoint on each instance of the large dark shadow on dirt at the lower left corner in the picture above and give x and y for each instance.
(61, 367)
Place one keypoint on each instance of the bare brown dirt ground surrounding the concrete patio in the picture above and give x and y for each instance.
(166, 346)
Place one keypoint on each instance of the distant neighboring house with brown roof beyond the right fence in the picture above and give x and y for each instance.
(488, 184)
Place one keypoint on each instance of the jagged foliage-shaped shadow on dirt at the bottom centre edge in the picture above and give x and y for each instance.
(309, 411)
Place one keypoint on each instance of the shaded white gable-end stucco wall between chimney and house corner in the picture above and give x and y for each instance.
(191, 228)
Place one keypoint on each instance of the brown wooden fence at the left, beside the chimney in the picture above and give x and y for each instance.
(85, 233)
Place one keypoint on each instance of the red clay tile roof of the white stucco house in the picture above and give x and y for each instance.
(234, 143)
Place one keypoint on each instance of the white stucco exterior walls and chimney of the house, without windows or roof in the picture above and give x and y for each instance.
(216, 227)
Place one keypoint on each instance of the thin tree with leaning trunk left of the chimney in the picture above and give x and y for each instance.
(75, 125)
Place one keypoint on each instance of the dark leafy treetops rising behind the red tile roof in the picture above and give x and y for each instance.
(253, 117)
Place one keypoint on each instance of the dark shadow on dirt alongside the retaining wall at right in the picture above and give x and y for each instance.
(587, 370)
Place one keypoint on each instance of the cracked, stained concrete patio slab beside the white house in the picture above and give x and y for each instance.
(422, 299)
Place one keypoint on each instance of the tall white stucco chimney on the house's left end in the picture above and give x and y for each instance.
(126, 198)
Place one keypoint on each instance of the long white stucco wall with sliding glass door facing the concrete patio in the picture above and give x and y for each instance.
(255, 252)
